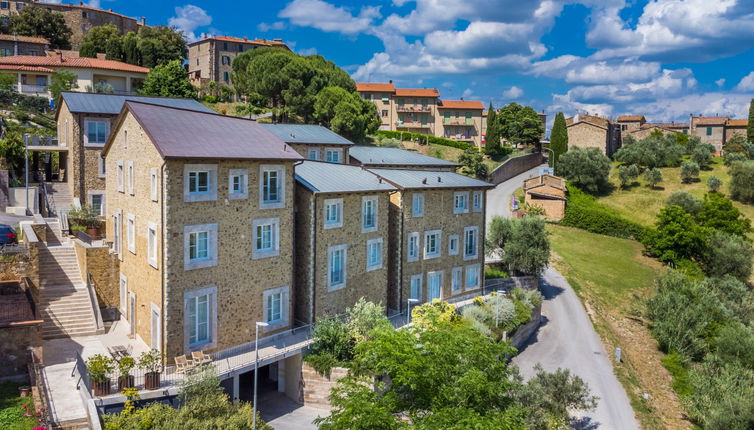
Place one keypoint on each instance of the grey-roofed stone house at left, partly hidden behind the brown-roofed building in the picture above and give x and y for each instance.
(84, 121)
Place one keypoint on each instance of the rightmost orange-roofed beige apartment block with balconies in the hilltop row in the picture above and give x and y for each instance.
(461, 120)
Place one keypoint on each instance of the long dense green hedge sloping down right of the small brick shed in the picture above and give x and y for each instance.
(584, 212)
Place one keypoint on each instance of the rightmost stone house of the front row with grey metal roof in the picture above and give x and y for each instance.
(437, 230)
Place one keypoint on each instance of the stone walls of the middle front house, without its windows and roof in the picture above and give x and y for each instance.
(314, 299)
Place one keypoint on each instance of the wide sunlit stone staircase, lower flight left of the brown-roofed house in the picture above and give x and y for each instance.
(65, 303)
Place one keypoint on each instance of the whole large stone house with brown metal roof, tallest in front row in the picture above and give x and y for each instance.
(200, 211)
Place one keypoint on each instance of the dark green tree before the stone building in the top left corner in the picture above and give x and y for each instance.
(42, 22)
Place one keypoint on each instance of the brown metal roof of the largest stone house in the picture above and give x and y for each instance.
(181, 133)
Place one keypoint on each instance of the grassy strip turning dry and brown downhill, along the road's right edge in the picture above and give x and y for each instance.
(613, 280)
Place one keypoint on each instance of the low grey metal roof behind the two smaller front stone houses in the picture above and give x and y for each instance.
(396, 158)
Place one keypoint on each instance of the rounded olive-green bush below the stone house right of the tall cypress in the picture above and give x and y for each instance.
(587, 169)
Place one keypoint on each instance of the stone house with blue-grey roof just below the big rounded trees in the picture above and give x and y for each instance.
(313, 142)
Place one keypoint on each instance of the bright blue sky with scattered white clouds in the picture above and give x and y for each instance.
(661, 58)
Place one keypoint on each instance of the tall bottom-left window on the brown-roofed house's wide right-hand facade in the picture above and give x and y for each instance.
(201, 317)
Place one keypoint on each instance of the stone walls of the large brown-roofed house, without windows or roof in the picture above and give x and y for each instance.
(236, 282)
